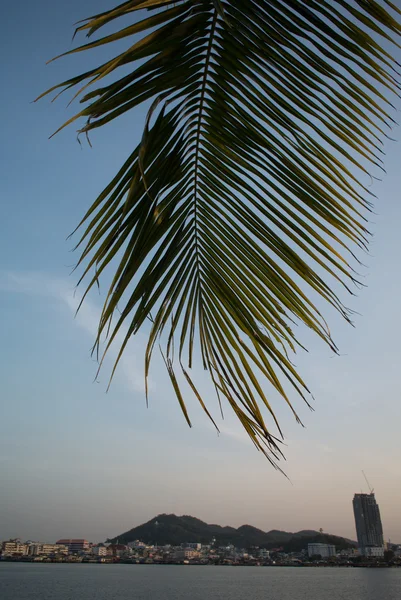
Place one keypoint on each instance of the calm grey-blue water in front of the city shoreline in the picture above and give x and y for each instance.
(137, 582)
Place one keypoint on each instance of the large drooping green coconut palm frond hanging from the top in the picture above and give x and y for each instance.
(244, 199)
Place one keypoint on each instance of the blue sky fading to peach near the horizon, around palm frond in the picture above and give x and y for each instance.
(76, 461)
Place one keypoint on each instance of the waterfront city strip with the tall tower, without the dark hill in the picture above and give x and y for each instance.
(370, 550)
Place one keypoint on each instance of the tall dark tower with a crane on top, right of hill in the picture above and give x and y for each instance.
(368, 523)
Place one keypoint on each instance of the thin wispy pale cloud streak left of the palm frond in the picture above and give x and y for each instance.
(41, 284)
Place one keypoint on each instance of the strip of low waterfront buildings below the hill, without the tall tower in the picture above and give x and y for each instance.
(212, 553)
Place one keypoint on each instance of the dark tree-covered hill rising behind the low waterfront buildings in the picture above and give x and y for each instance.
(174, 530)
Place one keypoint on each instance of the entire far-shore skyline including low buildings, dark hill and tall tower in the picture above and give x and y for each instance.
(186, 537)
